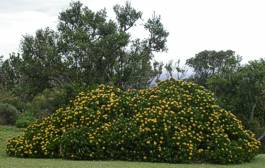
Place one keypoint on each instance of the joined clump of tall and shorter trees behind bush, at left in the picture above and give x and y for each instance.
(88, 49)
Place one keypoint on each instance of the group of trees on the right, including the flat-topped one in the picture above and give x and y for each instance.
(239, 88)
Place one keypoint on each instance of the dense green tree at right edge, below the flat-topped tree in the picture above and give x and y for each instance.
(243, 92)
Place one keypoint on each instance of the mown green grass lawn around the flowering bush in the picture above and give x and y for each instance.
(9, 162)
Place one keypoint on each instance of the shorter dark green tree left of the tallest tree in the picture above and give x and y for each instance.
(37, 67)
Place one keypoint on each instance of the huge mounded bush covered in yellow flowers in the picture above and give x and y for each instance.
(176, 121)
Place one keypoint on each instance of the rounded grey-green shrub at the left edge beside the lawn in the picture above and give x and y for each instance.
(8, 114)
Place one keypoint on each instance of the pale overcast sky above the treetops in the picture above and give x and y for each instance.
(194, 25)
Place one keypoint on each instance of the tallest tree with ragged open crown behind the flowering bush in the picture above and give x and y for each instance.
(99, 50)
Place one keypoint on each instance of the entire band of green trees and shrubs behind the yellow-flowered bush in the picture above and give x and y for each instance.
(89, 49)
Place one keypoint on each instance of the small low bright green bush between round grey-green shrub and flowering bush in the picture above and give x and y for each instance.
(24, 120)
